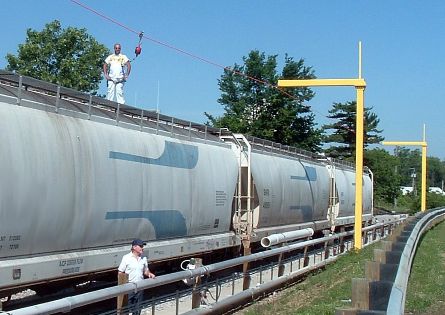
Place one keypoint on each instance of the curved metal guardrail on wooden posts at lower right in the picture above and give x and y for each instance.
(384, 289)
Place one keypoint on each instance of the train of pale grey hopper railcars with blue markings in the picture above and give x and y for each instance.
(80, 177)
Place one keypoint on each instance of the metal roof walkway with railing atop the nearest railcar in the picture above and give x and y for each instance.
(50, 97)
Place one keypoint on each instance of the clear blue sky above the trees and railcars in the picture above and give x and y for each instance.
(403, 51)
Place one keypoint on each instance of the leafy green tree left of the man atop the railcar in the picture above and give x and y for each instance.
(69, 57)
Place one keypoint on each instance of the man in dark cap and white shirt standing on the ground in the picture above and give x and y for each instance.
(136, 267)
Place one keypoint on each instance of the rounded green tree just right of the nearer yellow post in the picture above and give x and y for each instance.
(386, 178)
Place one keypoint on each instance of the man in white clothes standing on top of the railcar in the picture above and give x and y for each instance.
(114, 72)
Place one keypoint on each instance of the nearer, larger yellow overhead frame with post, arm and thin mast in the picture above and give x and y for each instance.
(360, 86)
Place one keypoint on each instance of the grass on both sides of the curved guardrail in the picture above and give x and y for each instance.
(325, 291)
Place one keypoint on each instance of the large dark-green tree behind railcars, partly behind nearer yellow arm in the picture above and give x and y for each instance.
(254, 107)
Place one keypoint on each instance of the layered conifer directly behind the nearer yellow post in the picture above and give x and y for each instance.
(343, 130)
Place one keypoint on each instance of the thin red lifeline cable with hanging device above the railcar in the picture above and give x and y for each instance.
(179, 50)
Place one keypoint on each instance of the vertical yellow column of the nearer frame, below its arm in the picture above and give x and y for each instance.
(359, 168)
